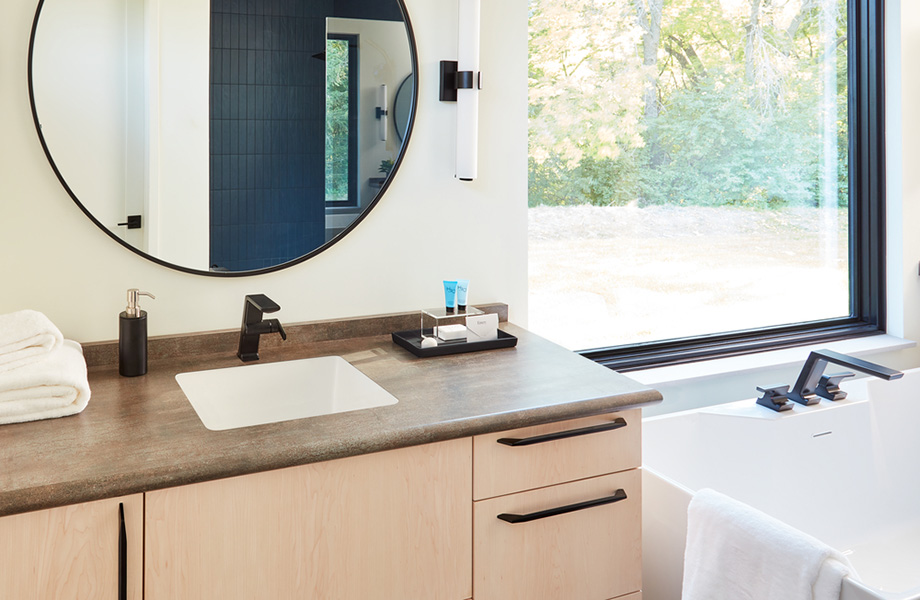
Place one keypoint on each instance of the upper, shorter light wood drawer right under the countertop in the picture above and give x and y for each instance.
(503, 469)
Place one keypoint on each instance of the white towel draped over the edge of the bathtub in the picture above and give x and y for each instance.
(735, 552)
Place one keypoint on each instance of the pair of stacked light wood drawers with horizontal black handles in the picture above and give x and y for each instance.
(557, 511)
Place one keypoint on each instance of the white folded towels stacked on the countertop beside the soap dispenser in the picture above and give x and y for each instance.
(42, 376)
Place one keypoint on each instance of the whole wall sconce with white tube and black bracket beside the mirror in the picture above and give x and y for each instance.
(460, 83)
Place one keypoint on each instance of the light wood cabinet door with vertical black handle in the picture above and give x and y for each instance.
(73, 552)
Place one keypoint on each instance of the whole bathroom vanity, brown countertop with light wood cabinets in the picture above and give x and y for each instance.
(504, 474)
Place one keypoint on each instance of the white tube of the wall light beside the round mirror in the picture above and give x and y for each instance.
(468, 99)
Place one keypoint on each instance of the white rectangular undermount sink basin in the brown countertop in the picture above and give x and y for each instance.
(273, 392)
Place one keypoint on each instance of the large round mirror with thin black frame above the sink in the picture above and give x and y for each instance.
(230, 138)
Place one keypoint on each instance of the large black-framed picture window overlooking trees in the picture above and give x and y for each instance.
(704, 175)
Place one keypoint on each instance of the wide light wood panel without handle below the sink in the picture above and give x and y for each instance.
(382, 526)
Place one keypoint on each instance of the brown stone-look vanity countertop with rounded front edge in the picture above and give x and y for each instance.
(140, 434)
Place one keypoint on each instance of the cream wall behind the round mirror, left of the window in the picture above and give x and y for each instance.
(55, 260)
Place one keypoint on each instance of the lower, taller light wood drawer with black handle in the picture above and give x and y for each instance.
(591, 553)
